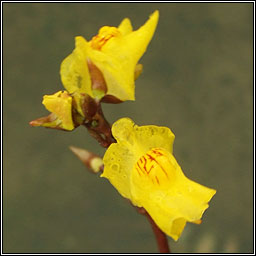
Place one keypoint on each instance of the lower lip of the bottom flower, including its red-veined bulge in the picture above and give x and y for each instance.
(171, 199)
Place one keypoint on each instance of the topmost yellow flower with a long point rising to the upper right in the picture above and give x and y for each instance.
(114, 52)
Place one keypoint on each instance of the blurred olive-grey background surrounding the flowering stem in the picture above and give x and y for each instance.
(197, 80)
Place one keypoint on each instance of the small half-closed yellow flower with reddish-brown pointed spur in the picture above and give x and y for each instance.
(60, 104)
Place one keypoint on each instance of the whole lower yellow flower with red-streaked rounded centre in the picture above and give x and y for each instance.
(142, 168)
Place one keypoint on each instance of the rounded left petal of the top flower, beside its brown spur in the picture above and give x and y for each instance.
(74, 70)
